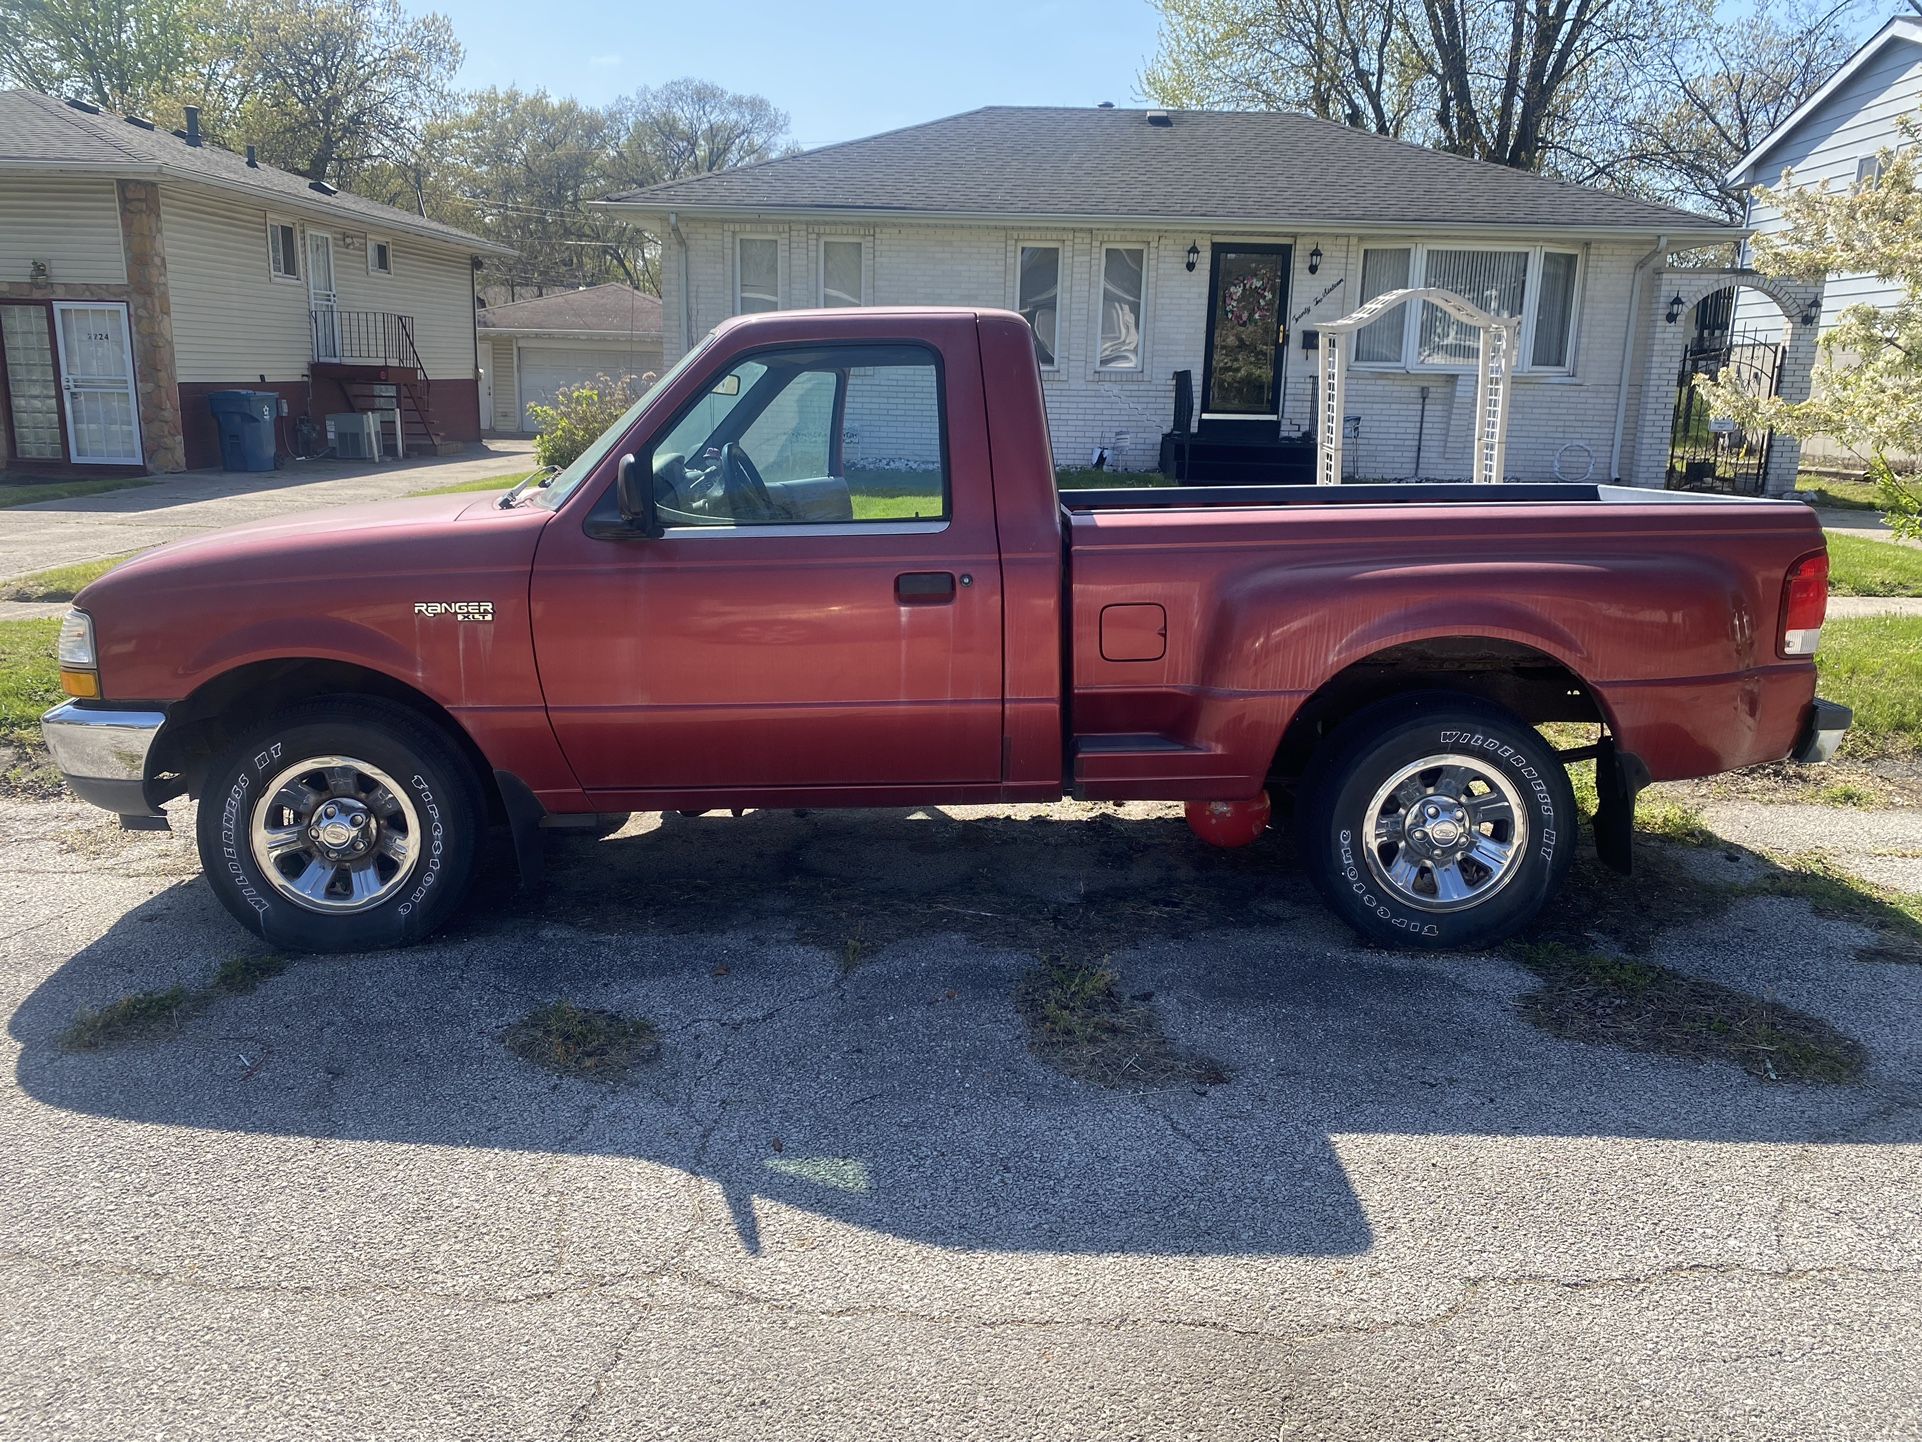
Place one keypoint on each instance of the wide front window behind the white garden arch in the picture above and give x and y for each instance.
(1535, 286)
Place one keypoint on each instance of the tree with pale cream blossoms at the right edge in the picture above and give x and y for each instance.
(1869, 382)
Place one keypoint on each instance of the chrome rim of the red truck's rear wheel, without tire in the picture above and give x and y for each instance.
(1446, 833)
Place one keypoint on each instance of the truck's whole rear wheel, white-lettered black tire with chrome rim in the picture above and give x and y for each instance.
(1437, 822)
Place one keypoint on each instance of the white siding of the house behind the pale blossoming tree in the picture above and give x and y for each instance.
(1852, 126)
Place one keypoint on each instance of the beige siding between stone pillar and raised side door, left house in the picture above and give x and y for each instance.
(232, 318)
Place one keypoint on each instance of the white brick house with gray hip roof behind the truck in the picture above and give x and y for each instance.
(1154, 243)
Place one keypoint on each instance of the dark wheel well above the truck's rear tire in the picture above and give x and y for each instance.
(1517, 678)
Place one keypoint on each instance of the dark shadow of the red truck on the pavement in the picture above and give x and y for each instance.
(835, 997)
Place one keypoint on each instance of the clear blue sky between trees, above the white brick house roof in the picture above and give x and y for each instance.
(841, 70)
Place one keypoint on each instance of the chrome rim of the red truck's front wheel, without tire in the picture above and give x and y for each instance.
(333, 835)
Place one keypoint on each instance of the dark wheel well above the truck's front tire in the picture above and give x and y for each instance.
(220, 710)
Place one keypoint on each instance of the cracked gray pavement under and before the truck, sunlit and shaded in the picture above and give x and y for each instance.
(850, 1203)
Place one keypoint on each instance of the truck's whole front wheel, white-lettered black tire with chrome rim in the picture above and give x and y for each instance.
(341, 828)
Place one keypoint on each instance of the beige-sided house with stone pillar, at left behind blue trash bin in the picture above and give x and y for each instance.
(141, 270)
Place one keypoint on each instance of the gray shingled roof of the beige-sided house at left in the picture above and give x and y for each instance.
(43, 134)
